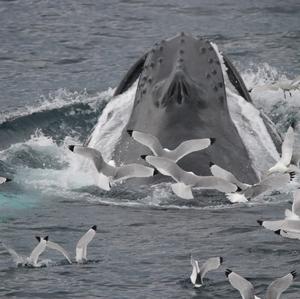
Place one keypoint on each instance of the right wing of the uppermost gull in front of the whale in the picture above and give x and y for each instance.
(190, 146)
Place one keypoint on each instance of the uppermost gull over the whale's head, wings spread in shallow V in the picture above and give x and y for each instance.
(175, 155)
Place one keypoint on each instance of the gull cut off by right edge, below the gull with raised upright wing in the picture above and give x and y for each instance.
(291, 222)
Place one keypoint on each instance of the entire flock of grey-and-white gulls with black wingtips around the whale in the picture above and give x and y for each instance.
(164, 161)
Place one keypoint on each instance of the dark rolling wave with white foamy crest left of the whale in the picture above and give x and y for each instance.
(64, 113)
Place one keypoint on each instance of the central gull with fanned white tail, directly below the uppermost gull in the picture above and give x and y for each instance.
(186, 180)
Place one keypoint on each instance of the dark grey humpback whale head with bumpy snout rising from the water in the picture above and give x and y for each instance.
(187, 90)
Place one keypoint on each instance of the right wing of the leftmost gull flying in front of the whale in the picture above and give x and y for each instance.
(132, 171)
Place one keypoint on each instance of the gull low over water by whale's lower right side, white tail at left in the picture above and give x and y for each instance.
(245, 192)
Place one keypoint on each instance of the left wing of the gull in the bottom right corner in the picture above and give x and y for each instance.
(244, 286)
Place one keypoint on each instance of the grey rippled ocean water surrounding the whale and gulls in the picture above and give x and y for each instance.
(59, 64)
